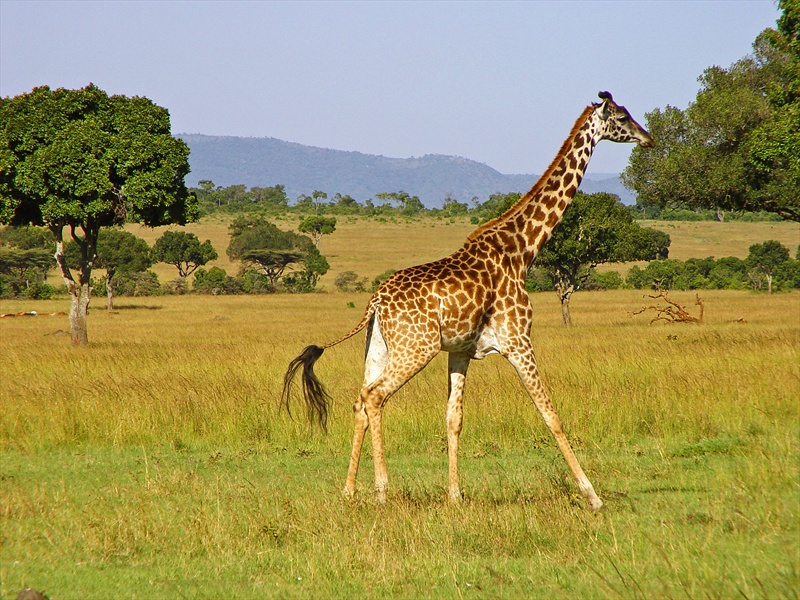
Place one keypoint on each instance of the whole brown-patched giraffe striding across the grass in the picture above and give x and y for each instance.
(470, 304)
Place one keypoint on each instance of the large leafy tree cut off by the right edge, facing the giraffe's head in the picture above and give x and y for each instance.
(737, 146)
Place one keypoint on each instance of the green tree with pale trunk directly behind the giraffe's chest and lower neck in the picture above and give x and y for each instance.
(595, 229)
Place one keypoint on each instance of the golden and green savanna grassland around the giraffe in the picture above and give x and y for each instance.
(156, 462)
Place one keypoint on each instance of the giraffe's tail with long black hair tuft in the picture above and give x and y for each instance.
(316, 398)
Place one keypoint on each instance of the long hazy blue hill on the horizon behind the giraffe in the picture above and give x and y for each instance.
(302, 169)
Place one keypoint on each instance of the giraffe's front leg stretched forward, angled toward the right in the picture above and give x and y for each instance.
(525, 364)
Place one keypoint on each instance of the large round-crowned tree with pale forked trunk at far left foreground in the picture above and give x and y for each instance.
(80, 160)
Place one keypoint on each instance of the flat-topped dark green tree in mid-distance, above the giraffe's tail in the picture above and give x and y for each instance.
(259, 243)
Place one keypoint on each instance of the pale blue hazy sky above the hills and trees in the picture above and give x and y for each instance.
(496, 82)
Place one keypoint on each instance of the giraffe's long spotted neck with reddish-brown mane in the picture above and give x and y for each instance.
(527, 225)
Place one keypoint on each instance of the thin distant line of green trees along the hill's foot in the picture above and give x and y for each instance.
(271, 201)
